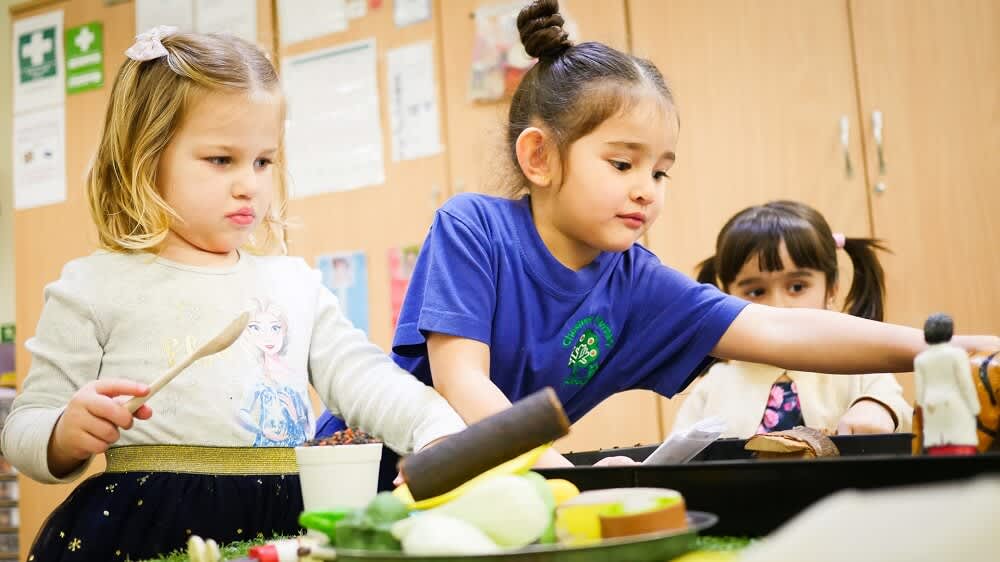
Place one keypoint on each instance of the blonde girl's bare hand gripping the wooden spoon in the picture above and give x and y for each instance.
(91, 423)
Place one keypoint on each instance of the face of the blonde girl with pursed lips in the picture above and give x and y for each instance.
(217, 174)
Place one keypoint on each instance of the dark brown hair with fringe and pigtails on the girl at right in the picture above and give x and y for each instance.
(759, 231)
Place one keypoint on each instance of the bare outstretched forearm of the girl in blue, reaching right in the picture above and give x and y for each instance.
(822, 341)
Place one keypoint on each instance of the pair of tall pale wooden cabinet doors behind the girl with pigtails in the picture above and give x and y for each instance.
(763, 87)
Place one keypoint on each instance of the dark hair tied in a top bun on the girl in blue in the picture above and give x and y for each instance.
(573, 88)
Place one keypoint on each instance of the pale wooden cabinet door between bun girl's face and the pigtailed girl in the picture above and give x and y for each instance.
(762, 88)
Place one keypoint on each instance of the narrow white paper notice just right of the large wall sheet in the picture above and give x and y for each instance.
(413, 102)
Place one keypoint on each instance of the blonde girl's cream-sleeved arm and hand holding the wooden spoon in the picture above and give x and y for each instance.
(44, 437)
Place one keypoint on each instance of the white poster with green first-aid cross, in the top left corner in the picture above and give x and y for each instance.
(37, 51)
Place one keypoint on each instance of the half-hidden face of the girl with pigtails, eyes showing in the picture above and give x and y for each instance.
(792, 287)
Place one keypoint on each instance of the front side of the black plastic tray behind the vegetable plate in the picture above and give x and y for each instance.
(754, 497)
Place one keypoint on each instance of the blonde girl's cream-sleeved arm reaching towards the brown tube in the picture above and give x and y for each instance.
(356, 379)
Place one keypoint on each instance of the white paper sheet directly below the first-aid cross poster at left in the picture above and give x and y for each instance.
(39, 147)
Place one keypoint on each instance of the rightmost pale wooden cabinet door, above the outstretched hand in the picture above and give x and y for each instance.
(933, 70)
